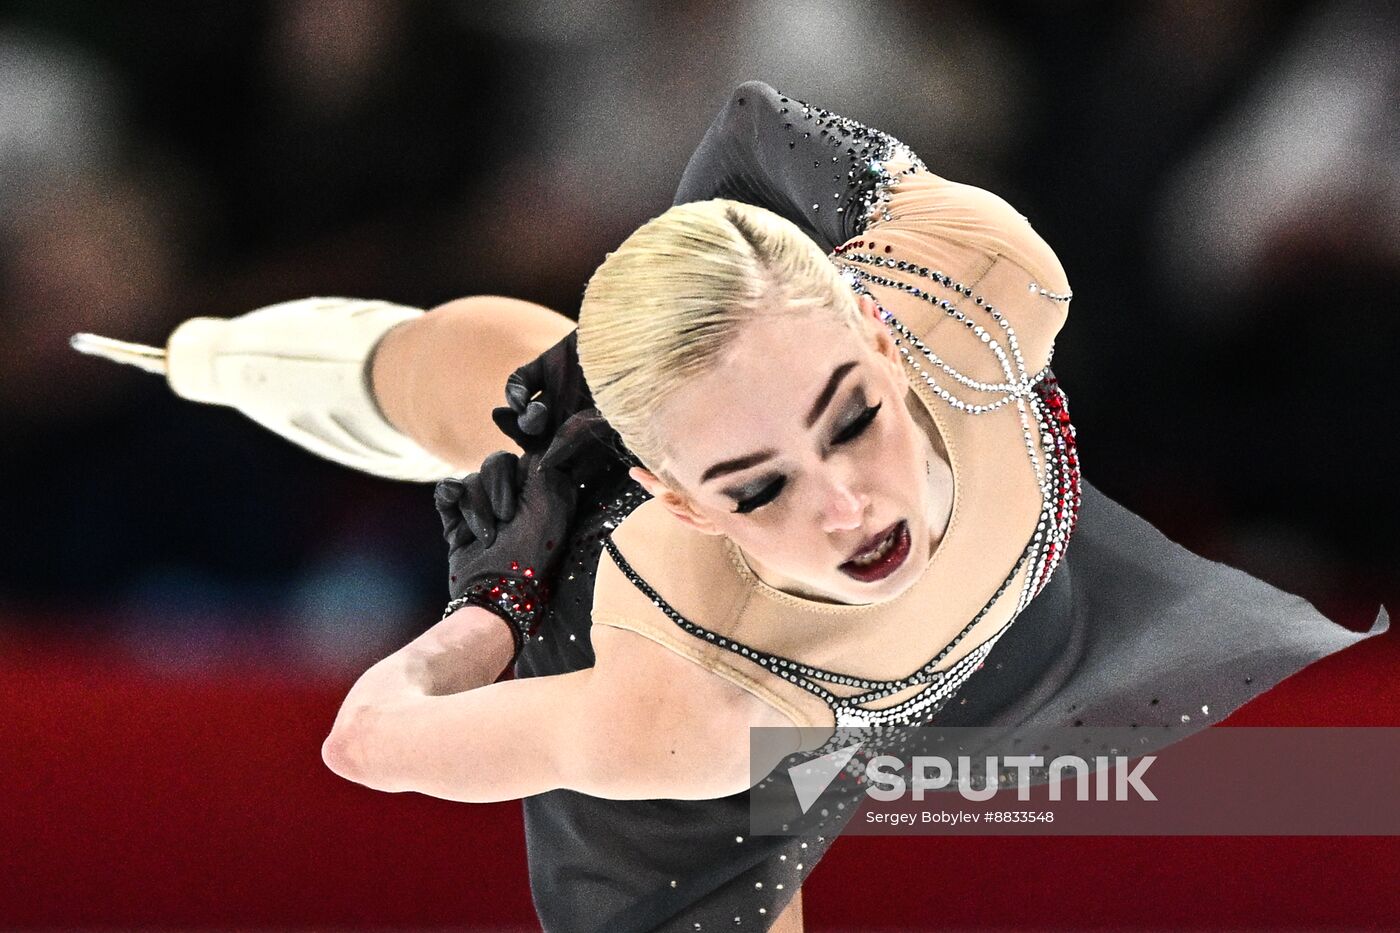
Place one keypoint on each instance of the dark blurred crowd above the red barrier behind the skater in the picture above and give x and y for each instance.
(1220, 180)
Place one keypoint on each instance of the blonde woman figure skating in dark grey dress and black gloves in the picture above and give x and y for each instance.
(843, 494)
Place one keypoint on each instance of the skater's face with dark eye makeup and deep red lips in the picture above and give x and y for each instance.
(801, 446)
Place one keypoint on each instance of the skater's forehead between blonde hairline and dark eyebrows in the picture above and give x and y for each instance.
(759, 393)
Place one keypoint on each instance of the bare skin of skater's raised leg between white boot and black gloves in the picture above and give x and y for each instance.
(439, 378)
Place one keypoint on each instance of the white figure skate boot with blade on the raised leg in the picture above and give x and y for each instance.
(300, 369)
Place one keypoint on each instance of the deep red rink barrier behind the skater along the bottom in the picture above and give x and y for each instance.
(141, 798)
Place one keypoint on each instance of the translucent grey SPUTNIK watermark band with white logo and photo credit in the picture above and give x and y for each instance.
(1137, 780)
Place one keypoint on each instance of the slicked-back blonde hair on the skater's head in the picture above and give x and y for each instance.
(666, 305)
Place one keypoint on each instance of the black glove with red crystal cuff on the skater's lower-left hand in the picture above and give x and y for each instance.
(506, 529)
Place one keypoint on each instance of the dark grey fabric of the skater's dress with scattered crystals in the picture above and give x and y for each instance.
(1132, 628)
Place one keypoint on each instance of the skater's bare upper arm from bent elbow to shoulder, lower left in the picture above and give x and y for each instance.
(643, 724)
